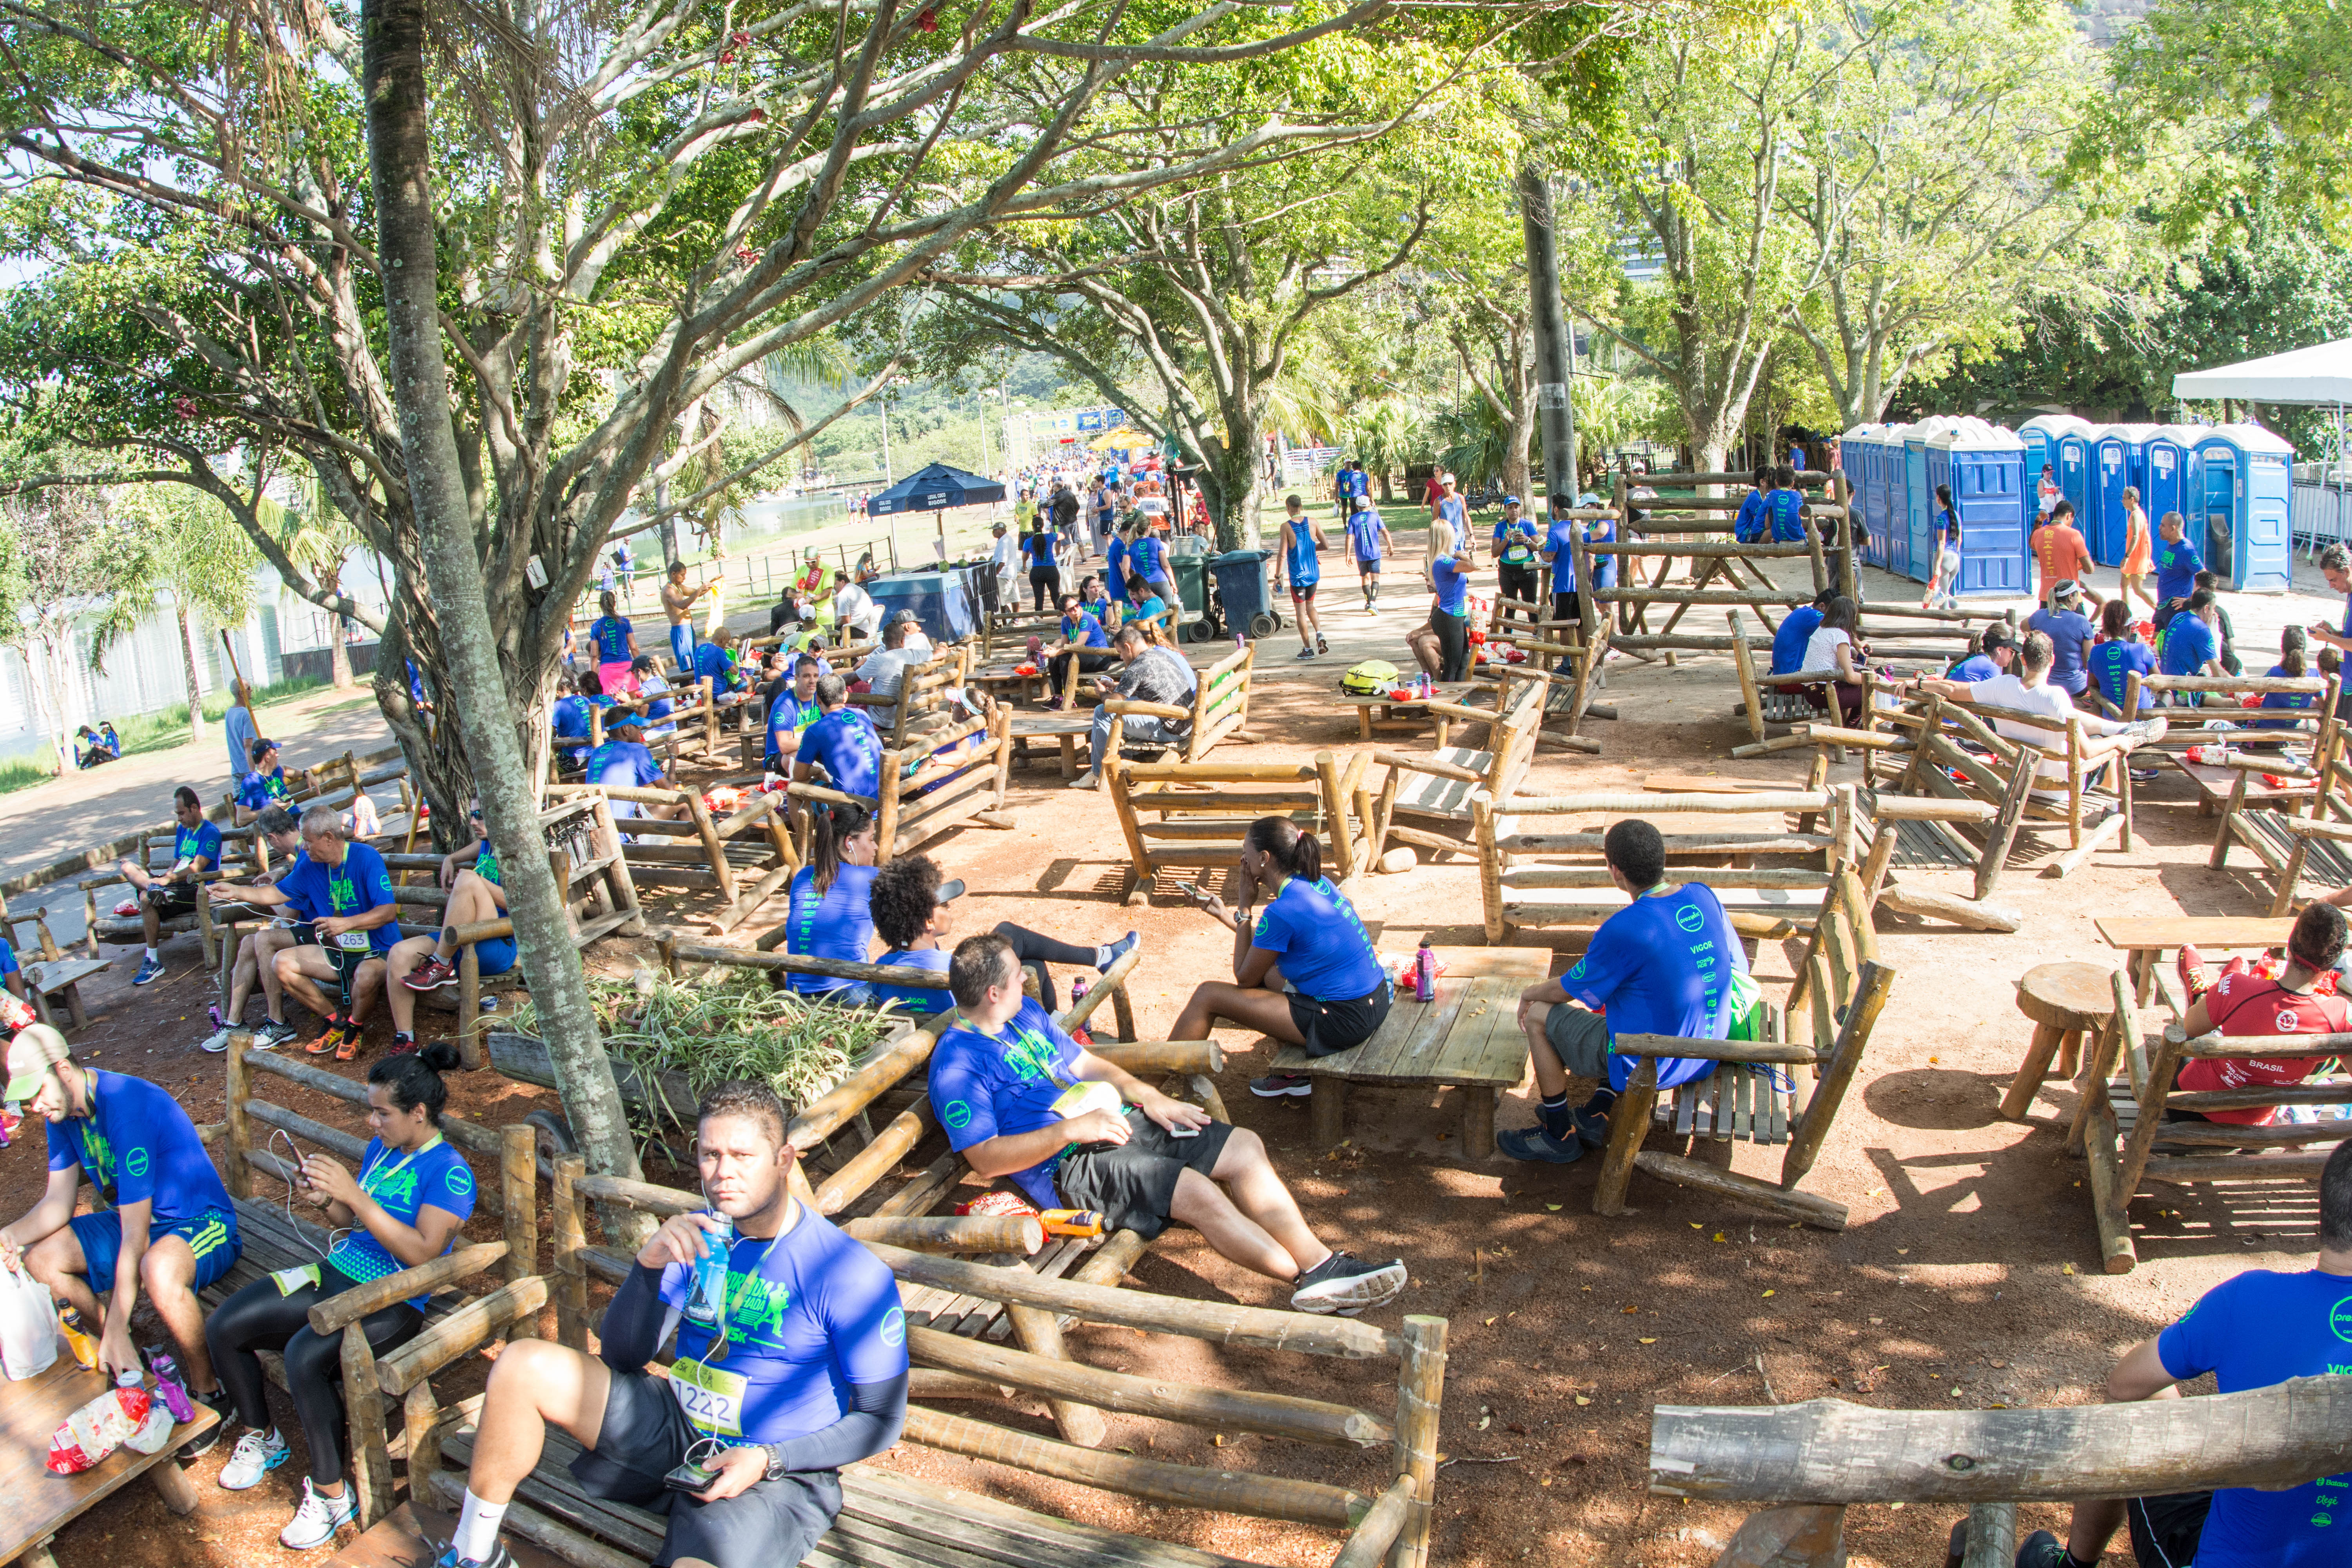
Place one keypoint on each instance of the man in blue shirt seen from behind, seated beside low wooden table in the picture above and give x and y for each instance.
(1664, 965)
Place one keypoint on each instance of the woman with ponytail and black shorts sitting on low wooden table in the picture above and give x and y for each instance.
(1328, 993)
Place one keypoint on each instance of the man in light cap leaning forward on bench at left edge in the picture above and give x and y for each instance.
(163, 1228)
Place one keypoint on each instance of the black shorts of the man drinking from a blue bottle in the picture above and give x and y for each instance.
(646, 1438)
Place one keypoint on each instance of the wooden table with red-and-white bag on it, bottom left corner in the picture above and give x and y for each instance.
(41, 1503)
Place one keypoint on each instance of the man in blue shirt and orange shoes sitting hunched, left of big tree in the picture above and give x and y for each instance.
(356, 923)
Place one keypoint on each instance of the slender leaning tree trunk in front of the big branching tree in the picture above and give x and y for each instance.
(474, 690)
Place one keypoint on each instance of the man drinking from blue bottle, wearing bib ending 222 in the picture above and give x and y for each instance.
(794, 1372)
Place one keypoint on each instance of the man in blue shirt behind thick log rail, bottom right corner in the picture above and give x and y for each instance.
(2252, 1332)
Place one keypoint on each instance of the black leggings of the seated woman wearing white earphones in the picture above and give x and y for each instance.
(262, 1318)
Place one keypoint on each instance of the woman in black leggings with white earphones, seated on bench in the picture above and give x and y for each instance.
(403, 1209)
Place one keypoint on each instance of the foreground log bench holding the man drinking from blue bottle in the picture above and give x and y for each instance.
(893, 1520)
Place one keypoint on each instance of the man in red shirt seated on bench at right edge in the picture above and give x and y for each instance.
(2301, 1000)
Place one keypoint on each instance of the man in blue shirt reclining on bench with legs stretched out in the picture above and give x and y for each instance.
(1074, 1132)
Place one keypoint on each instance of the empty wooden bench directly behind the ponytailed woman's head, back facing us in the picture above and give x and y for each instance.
(1194, 815)
